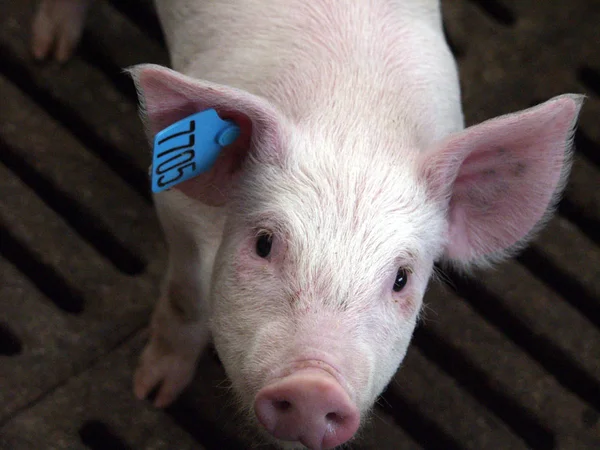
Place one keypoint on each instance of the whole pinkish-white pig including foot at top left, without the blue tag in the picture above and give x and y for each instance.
(306, 249)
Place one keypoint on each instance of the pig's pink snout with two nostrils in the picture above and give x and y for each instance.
(309, 406)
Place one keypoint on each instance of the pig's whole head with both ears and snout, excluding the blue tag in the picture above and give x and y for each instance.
(332, 235)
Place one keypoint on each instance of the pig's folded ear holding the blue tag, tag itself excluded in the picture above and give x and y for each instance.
(167, 96)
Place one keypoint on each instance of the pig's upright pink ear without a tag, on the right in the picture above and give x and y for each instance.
(499, 178)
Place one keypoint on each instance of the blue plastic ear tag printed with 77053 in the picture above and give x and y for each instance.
(189, 147)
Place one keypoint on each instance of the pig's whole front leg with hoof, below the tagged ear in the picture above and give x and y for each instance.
(179, 328)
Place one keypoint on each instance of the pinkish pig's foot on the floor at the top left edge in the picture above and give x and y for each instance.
(57, 27)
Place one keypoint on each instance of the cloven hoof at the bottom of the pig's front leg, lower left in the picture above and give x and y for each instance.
(172, 371)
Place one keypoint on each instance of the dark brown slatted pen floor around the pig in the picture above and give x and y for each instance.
(508, 360)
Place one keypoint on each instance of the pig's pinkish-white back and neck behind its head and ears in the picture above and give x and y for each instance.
(326, 62)
